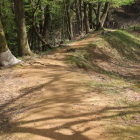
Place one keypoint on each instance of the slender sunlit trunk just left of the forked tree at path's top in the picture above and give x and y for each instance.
(86, 20)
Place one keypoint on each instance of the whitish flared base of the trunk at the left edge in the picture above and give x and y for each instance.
(7, 58)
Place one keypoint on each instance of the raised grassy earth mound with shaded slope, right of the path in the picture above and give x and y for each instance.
(117, 48)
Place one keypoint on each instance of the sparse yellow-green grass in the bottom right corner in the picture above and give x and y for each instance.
(125, 124)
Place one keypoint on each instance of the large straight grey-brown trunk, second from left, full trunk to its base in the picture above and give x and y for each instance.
(24, 48)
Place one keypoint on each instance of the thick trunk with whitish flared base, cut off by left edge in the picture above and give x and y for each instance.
(6, 57)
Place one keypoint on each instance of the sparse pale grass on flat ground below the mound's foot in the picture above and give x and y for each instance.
(114, 86)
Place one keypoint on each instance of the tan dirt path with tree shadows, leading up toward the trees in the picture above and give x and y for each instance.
(48, 100)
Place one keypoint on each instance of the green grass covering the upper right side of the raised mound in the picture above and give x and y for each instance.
(127, 45)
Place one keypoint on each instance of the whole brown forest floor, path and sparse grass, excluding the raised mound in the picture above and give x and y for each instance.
(47, 98)
